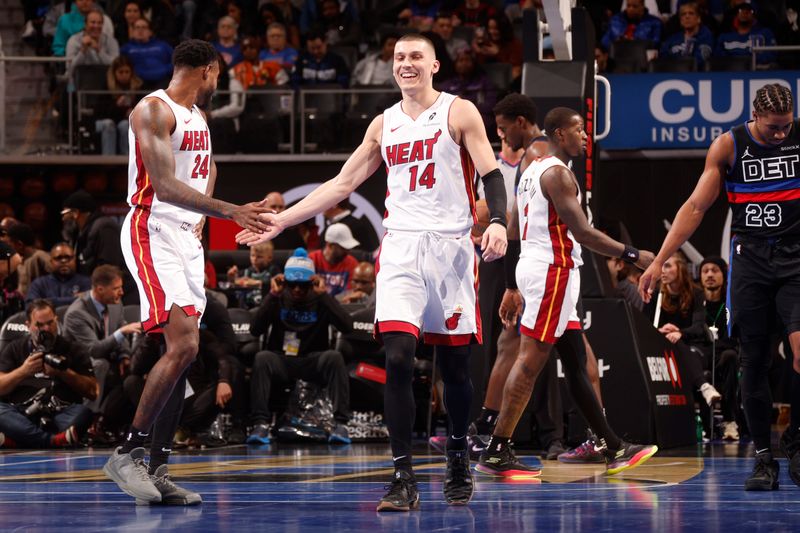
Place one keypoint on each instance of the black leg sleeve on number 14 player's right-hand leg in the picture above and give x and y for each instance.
(453, 362)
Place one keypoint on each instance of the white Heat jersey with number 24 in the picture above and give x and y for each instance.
(191, 147)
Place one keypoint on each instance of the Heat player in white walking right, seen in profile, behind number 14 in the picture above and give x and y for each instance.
(552, 227)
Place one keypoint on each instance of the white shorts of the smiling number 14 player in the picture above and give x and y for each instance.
(426, 283)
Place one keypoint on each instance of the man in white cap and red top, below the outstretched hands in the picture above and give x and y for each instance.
(333, 263)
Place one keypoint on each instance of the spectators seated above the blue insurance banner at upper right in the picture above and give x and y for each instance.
(713, 33)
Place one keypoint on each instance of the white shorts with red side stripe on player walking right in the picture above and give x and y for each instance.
(550, 294)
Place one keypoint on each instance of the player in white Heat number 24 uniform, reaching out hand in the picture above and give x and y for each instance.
(171, 178)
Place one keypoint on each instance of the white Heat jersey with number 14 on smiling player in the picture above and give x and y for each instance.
(429, 176)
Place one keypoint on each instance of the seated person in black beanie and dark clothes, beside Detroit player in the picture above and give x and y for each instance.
(713, 274)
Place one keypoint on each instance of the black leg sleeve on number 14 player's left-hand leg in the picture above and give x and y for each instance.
(398, 396)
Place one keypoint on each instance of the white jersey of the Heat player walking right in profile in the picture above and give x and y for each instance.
(544, 235)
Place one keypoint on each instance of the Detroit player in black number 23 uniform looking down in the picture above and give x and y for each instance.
(759, 164)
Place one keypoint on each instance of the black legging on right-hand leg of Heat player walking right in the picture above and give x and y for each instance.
(573, 357)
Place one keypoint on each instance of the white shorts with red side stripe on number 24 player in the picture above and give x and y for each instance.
(166, 260)
